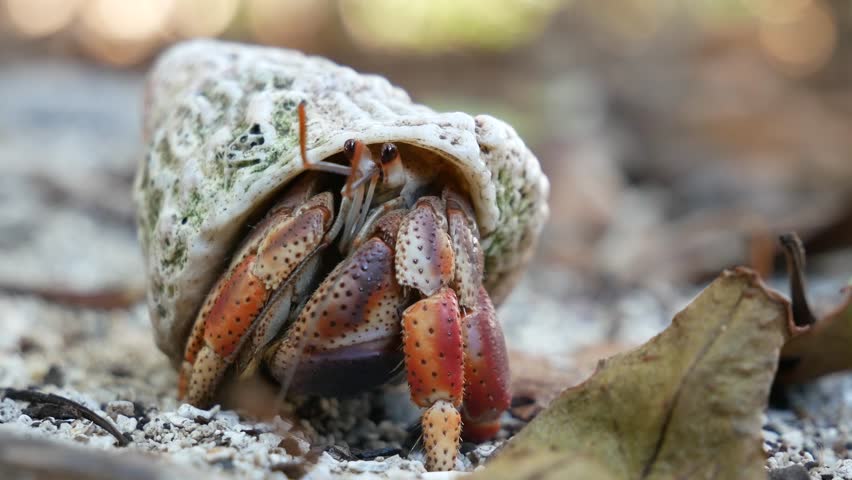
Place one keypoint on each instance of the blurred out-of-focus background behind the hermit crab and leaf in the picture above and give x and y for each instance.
(680, 136)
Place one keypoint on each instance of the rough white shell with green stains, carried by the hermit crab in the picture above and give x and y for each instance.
(222, 134)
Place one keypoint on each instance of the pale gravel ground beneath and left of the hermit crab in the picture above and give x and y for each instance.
(107, 361)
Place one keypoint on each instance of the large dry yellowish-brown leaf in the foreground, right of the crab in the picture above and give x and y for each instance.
(687, 404)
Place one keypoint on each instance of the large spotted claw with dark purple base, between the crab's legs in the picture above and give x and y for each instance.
(346, 337)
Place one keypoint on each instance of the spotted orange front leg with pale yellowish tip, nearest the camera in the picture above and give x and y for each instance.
(432, 337)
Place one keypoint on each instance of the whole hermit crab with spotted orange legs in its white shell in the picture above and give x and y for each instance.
(313, 223)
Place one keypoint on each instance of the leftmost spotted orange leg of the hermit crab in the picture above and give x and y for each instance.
(265, 264)
